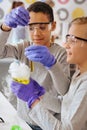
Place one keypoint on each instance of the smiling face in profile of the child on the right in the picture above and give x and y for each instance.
(75, 47)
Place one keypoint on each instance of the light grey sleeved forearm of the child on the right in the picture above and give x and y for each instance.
(44, 118)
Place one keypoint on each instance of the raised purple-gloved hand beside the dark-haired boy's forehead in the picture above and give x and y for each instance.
(18, 16)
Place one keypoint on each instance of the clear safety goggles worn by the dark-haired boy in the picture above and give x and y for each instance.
(43, 27)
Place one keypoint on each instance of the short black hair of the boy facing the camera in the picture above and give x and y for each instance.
(42, 7)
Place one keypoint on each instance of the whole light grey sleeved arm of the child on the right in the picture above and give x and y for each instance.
(76, 114)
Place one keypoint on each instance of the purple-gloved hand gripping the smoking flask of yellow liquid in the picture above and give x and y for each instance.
(29, 92)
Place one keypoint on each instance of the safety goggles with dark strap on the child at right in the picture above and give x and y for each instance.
(71, 39)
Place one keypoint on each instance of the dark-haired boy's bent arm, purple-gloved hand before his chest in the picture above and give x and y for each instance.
(54, 63)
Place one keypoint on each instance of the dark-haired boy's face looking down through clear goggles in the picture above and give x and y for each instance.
(40, 33)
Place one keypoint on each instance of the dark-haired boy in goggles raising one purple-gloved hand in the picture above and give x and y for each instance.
(50, 67)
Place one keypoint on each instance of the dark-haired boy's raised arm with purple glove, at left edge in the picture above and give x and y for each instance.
(18, 16)
